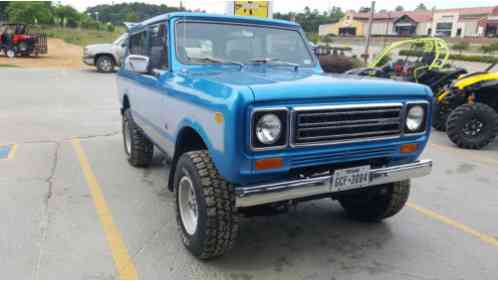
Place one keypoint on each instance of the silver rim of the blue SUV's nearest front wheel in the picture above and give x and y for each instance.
(187, 204)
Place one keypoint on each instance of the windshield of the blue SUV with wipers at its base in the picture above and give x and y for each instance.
(216, 43)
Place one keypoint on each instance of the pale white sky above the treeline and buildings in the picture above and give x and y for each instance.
(284, 6)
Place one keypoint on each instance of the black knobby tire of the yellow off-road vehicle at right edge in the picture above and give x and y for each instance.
(464, 114)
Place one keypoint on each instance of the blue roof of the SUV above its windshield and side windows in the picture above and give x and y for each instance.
(213, 17)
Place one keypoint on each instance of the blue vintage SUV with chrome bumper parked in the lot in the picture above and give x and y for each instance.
(248, 119)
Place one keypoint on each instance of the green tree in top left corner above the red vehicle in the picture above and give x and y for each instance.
(30, 12)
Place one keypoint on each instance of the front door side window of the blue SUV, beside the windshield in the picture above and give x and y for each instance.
(158, 46)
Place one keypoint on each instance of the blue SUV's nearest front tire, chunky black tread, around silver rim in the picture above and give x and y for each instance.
(217, 223)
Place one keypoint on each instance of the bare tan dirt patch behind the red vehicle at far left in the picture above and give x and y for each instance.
(60, 55)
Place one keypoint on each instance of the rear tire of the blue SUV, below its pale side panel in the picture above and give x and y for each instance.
(141, 148)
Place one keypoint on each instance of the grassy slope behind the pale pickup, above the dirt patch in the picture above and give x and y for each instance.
(80, 36)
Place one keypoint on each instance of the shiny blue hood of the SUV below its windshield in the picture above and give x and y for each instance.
(282, 84)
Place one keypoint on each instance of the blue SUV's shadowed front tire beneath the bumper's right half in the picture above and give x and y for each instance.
(373, 205)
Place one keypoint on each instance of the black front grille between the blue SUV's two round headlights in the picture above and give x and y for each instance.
(324, 125)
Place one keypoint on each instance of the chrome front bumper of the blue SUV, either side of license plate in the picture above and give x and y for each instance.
(248, 196)
